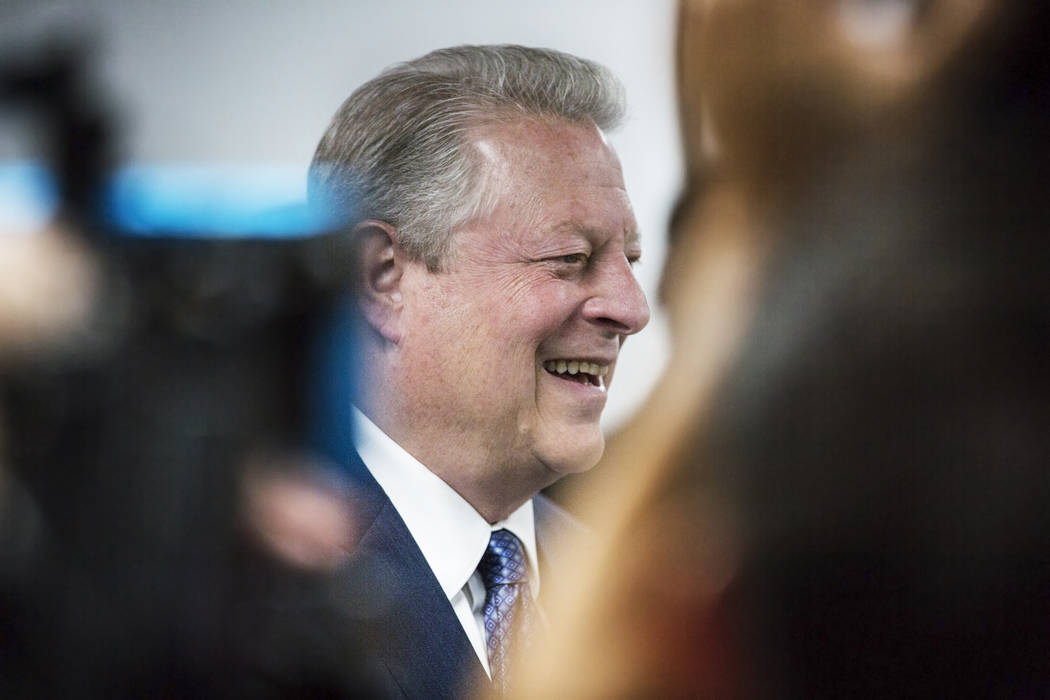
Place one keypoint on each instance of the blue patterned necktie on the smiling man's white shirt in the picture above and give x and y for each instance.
(505, 571)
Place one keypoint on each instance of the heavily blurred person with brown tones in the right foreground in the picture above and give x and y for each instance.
(853, 499)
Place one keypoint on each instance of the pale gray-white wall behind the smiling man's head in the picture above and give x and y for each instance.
(247, 82)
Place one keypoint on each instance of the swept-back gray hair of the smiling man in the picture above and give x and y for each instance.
(398, 151)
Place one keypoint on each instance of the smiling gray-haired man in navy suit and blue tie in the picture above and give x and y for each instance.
(497, 245)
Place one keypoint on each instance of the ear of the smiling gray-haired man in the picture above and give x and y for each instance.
(382, 265)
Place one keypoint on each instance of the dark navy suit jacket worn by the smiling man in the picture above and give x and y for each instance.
(415, 643)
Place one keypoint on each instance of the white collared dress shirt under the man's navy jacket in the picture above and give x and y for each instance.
(450, 533)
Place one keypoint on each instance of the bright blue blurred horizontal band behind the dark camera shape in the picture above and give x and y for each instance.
(182, 201)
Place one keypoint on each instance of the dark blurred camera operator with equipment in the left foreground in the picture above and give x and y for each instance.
(158, 497)
